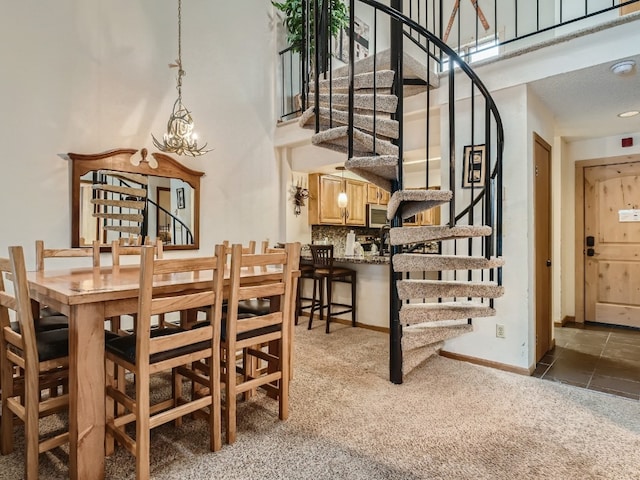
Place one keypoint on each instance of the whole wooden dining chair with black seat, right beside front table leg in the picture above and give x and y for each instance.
(151, 351)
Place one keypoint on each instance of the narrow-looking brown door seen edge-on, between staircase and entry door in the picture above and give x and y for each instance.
(542, 193)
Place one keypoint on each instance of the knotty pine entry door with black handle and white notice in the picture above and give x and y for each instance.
(612, 244)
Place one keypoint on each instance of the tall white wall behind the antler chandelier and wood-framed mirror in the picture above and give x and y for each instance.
(91, 76)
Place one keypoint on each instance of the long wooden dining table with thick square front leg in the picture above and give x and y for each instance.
(88, 296)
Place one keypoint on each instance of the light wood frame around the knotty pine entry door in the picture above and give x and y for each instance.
(579, 219)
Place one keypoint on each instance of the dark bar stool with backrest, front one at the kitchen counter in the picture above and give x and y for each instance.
(324, 273)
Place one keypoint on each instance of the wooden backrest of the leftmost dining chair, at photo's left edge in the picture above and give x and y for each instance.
(20, 303)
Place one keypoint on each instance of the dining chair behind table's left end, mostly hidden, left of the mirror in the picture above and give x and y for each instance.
(47, 318)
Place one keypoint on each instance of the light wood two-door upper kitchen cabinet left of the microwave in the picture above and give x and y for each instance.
(323, 201)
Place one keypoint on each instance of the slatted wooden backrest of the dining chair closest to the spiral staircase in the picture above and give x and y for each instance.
(281, 285)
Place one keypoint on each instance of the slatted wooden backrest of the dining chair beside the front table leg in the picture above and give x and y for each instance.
(151, 301)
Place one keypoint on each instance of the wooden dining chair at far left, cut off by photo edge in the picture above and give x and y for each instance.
(32, 363)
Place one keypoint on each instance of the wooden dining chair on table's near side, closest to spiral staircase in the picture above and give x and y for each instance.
(249, 335)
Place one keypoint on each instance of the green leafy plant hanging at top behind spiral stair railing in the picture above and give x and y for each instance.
(294, 17)
